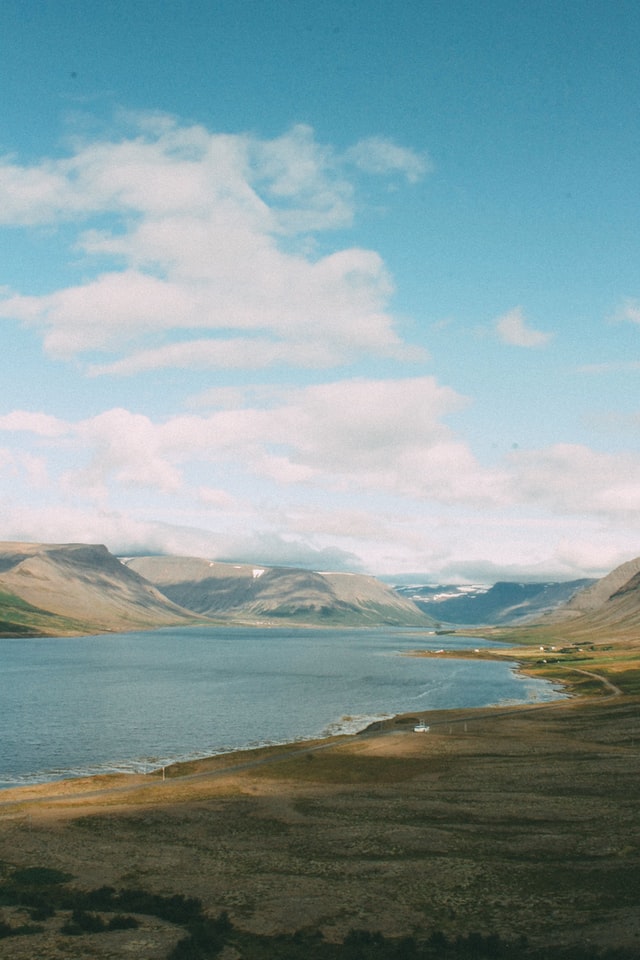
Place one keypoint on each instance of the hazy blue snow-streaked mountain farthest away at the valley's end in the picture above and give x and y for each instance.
(503, 603)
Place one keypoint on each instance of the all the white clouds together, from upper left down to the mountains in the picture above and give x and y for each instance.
(225, 258)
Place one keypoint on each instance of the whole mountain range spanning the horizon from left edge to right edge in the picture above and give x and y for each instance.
(75, 589)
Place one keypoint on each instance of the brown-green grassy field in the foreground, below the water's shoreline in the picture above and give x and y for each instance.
(515, 822)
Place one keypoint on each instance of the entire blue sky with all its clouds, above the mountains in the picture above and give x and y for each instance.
(342, 285)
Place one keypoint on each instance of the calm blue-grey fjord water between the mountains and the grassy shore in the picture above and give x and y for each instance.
(136, 701)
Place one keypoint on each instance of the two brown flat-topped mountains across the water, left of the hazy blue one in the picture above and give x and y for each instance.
(75, 589)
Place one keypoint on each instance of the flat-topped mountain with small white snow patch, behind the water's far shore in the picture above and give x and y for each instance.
(259, 593)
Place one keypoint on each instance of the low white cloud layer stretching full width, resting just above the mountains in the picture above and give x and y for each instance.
(361, 473)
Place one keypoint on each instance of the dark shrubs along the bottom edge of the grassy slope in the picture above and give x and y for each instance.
(205, 936)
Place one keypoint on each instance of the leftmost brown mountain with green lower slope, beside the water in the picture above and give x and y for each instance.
(63, 589)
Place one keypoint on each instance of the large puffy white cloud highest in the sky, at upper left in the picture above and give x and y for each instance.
(206, 233)
